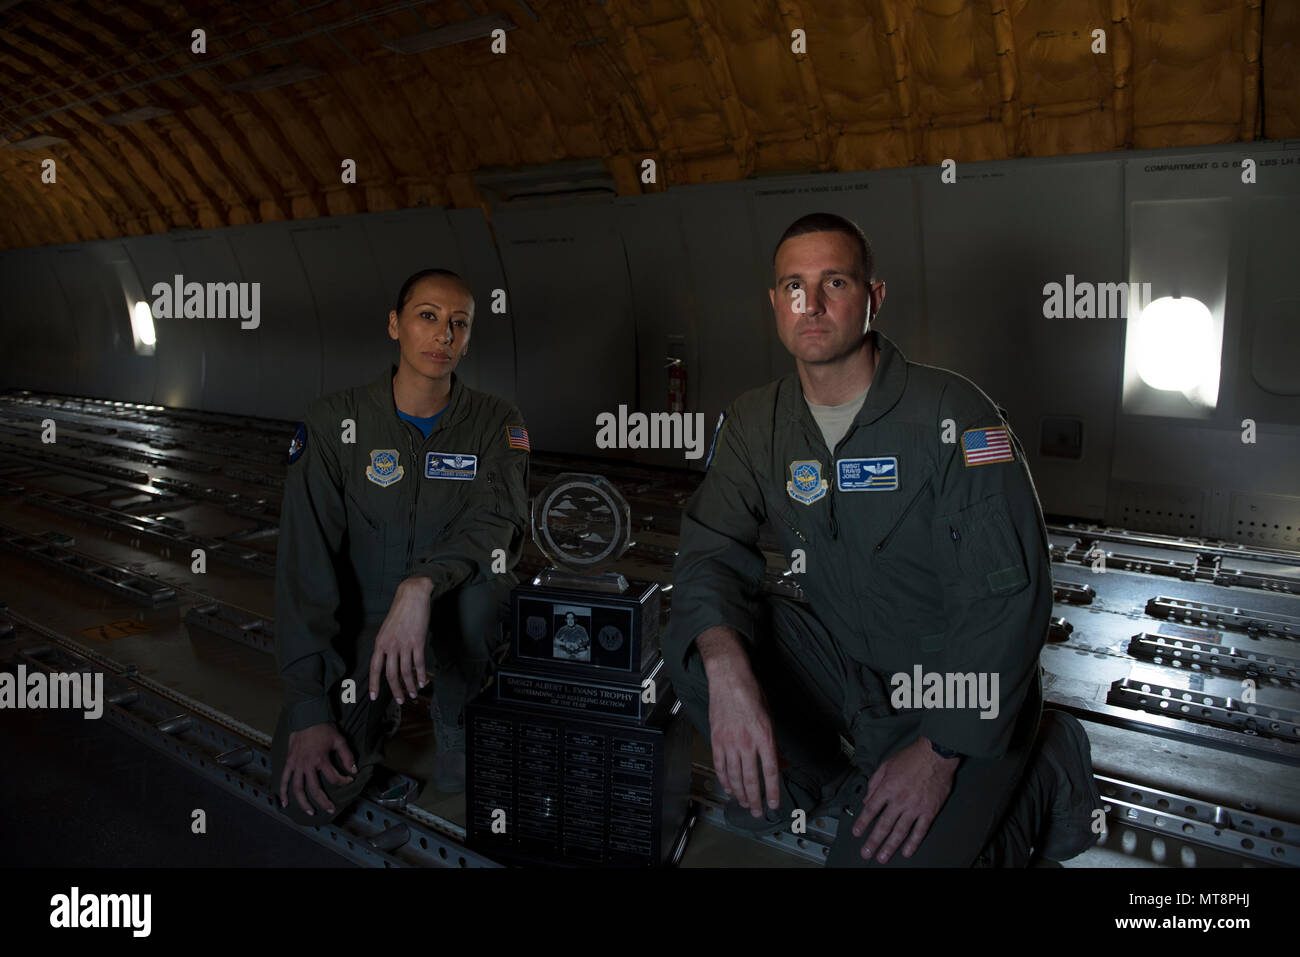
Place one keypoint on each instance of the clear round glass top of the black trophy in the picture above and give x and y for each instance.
(582, 523)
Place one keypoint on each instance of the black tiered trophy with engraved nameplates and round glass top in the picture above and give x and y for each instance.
(578, 752)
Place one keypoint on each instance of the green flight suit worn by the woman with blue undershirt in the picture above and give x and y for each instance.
(361, 517)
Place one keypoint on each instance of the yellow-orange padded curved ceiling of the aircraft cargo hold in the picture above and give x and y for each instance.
(149, 136)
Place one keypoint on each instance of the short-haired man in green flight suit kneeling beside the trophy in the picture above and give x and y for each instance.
(903, 501)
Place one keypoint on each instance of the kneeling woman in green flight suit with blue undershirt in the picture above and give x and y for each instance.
(405, 510)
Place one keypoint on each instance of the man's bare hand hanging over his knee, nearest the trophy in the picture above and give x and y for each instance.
(739, 721)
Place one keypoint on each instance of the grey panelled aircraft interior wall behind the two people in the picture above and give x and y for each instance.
(599, 292)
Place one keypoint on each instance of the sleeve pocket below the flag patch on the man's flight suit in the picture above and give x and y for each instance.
(986, 551)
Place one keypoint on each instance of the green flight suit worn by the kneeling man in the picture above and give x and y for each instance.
(925, 545)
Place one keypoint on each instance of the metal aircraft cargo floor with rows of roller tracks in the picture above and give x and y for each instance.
(97, 535)
